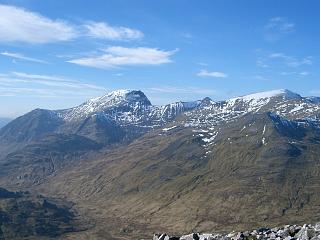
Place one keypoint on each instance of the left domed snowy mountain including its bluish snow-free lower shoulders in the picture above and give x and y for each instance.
(115, 117)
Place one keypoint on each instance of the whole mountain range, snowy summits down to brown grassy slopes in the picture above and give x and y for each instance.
(134, 168)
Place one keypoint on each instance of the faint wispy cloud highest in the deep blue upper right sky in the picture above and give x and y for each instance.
(277, 27)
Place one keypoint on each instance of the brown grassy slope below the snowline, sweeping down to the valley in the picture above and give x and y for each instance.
(166, 183)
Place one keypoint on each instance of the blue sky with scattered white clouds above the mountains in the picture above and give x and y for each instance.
(56, 54)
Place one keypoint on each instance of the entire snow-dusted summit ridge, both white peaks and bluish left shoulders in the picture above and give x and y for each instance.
(125, 114)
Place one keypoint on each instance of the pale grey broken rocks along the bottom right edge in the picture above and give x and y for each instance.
(288, 232)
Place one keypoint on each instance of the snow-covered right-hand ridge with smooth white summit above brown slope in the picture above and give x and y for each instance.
(282, 102)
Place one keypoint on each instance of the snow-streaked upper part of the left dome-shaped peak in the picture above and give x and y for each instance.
(127, 107)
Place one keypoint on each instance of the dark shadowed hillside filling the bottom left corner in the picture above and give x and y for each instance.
(24, 216)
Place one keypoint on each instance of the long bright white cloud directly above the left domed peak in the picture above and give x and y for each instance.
(119, 56)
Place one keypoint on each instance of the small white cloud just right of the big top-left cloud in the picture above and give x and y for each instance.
(105, 31)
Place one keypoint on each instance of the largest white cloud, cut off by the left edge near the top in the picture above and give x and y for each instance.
(20, 25)
